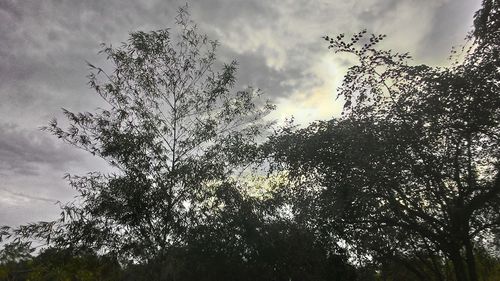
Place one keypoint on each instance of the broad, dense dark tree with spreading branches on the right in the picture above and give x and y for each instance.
(412, 168)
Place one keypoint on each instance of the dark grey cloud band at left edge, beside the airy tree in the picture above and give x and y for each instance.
(23, 151)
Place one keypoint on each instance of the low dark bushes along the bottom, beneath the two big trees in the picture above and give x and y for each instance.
(244, 240)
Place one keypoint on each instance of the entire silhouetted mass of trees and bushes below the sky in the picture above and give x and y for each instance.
(404, 186)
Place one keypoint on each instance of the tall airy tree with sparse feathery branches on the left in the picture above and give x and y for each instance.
(171, 128)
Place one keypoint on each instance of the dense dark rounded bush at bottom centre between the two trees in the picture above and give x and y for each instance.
(250, 240)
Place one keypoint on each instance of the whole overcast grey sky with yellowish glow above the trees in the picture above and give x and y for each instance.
(44, 46)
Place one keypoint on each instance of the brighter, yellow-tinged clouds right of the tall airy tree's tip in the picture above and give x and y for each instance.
(286, 36)
